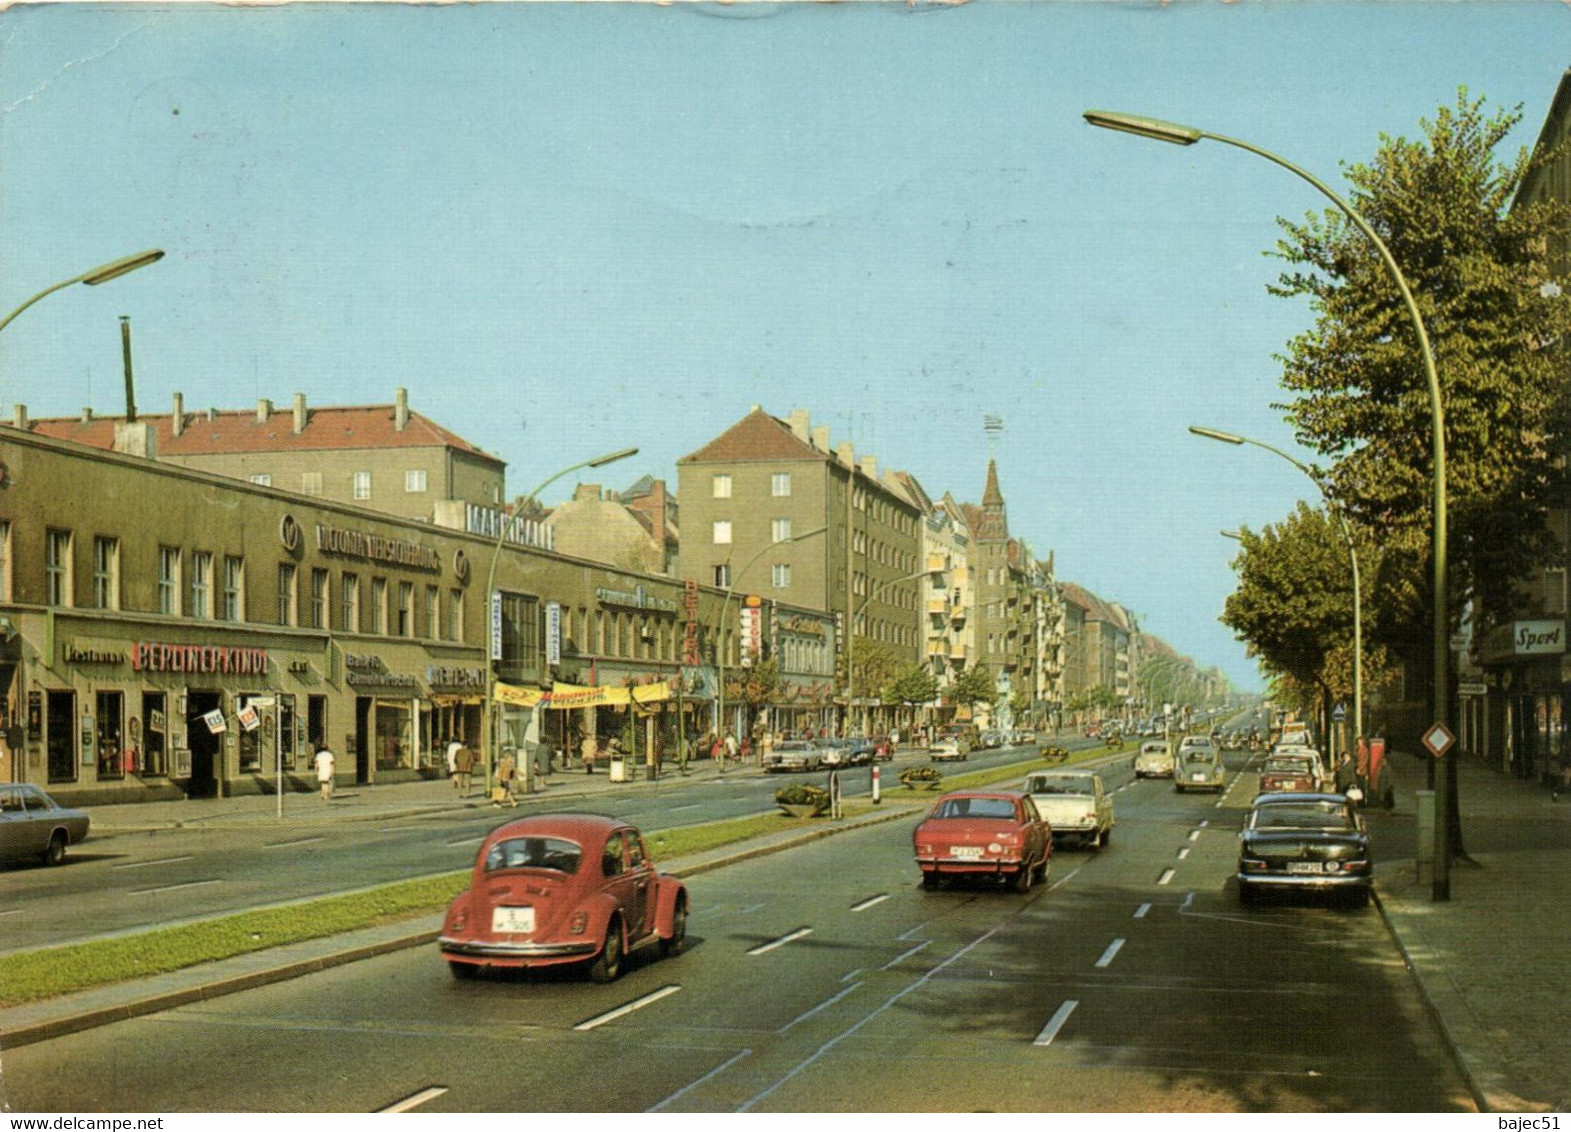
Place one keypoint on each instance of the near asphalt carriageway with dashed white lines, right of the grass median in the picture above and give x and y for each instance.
(826, 979)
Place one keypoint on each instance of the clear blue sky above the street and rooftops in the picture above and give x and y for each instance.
(569, 228)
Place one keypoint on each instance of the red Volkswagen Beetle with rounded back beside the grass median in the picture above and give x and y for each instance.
(563, 888)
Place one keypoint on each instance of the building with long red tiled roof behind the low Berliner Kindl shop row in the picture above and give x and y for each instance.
(386, 458)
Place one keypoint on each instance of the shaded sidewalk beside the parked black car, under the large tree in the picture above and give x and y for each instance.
(1492, 960)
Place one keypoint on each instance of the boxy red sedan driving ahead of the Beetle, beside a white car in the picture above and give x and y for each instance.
(984, 833)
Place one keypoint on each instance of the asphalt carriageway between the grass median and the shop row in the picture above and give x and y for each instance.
(139, 880)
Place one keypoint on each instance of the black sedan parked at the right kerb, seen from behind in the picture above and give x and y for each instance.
(1305, 844)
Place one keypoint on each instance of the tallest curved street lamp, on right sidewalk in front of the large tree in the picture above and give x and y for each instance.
(1187, 136)
